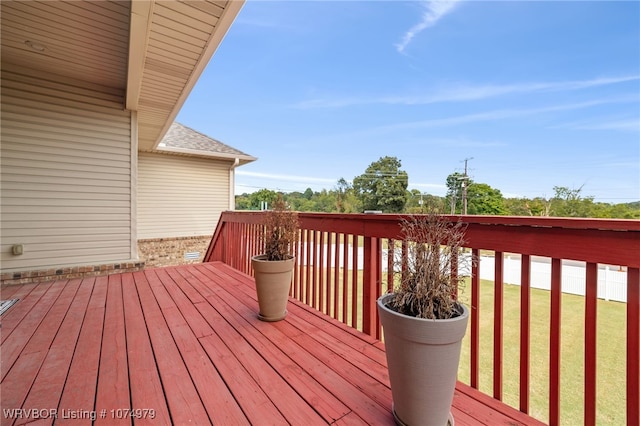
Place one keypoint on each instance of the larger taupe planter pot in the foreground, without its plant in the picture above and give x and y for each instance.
(422, 357)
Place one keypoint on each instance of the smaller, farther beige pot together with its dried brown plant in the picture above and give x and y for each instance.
(273, 269)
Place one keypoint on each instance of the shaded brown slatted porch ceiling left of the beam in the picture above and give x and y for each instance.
(80, 42)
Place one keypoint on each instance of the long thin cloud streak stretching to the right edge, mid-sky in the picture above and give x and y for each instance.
(465, 93)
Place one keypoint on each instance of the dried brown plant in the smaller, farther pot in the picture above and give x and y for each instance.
(281, 227)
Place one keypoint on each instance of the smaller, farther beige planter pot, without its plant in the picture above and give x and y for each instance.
(273, 283)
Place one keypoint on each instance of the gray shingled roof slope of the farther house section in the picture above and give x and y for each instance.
(183, 138)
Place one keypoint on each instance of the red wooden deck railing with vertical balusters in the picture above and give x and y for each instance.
(340, 272)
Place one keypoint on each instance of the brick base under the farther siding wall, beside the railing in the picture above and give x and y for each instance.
(172, 251)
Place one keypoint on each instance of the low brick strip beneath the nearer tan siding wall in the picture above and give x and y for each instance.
(63, 273)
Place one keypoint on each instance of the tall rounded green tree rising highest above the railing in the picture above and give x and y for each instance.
(383, 186)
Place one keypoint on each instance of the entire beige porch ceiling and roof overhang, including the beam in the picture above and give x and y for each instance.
(149, 54)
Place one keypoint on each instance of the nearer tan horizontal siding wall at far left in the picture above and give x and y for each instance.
(66, 174)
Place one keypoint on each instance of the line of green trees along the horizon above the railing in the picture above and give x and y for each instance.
(383, 187)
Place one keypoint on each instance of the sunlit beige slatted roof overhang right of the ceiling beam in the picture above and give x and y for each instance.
(182, 38)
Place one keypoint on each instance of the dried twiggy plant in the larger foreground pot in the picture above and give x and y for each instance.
(433, 269)
